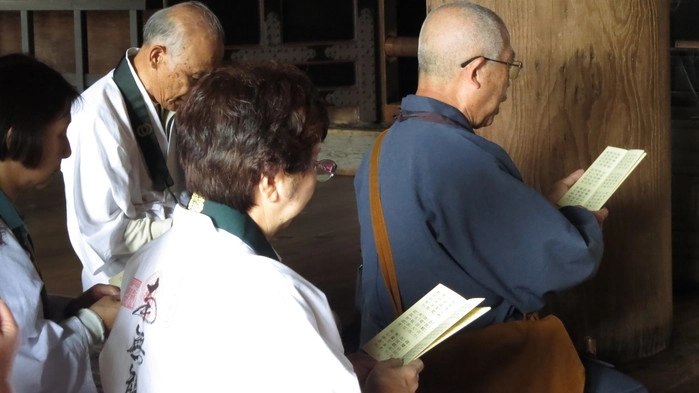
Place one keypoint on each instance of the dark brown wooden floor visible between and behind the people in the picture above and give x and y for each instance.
(322, 244)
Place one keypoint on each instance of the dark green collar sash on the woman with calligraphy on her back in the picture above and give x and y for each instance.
(240, 225)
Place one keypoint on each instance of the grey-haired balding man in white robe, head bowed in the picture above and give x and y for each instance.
(123, 181)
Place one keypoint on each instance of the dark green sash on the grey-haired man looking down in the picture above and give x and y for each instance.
(142, 127)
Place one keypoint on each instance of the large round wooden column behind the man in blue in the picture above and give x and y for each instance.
(596, 73)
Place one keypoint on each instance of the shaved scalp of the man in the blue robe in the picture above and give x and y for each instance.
(455, 32)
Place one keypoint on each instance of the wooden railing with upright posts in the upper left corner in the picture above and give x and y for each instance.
(80, 79)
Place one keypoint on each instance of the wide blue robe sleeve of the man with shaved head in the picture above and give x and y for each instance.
(505, 235)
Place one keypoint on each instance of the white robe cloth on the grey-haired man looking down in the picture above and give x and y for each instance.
(107, 184)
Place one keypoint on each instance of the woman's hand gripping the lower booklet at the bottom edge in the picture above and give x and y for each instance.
(392, 376)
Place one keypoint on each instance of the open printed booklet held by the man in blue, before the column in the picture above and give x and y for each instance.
(602, 178)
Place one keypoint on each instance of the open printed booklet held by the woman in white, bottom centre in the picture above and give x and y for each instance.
(434, 318)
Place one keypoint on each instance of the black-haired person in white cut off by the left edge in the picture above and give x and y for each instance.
(57, 336)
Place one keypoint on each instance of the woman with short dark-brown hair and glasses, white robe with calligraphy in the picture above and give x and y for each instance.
(209, 306)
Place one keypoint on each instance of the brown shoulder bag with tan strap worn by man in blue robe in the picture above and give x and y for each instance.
(527, 356)
